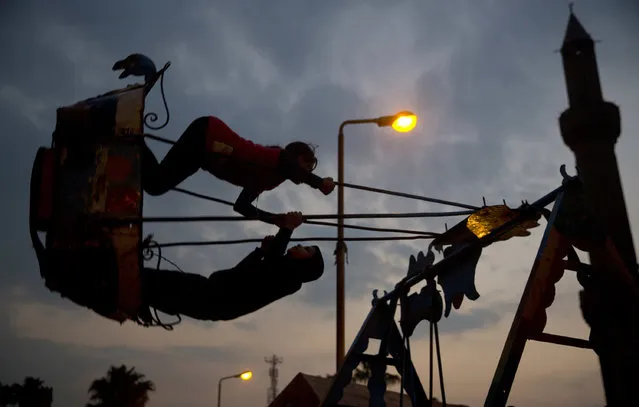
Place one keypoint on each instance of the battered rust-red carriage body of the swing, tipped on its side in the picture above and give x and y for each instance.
(88, 178)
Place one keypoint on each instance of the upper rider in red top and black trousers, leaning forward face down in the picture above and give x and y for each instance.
(209, 144)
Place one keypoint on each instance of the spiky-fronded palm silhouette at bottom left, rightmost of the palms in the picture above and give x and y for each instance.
(121, 387)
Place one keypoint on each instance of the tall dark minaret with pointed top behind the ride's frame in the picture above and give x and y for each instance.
(590, 127)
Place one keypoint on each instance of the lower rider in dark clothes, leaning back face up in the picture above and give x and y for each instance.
(269, 273)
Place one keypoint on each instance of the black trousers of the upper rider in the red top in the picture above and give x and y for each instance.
(183, 160)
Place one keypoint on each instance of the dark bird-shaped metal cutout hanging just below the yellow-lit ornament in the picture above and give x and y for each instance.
(458, 280)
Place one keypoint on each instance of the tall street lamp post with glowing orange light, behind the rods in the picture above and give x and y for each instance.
(401, 122)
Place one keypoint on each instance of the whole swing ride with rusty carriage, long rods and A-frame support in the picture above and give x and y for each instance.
(86, 197)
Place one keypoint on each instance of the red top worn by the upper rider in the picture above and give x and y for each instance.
(239, 161)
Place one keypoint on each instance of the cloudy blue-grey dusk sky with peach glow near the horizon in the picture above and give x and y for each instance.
(487, 84)
